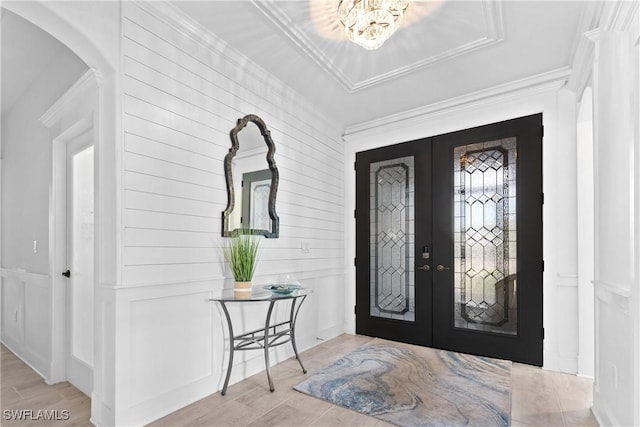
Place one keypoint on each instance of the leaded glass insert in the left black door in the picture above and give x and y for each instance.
(392, 239)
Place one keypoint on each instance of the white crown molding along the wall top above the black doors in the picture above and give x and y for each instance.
(548, 81)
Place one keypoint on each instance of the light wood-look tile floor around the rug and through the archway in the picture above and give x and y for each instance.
(539, 398)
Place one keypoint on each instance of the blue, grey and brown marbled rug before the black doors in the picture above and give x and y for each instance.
(409, 385)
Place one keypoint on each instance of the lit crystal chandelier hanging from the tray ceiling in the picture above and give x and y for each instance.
(370, 23)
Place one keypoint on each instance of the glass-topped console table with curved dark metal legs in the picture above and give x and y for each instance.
(267, 337)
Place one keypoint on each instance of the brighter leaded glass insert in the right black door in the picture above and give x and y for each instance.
(485, 256)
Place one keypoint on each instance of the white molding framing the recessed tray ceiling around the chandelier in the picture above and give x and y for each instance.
(494, 25)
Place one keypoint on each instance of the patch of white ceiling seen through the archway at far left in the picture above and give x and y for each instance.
(26, 51)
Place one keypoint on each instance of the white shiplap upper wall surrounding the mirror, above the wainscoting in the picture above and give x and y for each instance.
(179, 107)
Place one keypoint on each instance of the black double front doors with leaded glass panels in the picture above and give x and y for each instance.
(449, 241)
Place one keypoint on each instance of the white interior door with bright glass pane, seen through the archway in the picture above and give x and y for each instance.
(80, 241)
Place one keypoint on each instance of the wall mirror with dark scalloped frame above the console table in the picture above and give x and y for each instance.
(252, 183)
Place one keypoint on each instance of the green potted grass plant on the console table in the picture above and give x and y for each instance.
(241, 253)
